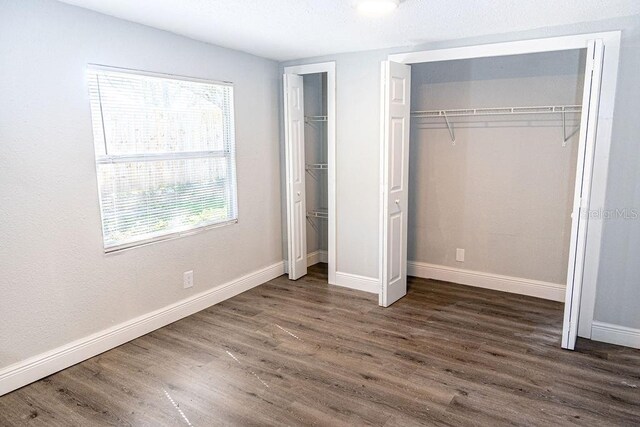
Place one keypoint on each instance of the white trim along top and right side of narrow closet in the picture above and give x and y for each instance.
(330, 69)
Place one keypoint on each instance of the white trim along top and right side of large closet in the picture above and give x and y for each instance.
(600, 160)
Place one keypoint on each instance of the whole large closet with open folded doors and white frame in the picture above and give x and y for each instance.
(487, 158)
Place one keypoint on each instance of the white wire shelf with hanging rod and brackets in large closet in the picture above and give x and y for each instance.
(496, 111)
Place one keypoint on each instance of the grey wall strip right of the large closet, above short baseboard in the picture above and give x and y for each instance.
(618, 292)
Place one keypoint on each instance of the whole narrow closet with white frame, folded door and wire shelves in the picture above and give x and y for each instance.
(309, 104)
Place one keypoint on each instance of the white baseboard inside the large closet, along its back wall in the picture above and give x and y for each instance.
(516, 285)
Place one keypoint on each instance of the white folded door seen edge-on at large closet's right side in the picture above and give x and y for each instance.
(584, 169)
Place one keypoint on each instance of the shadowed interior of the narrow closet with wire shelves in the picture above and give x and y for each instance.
(316, 186)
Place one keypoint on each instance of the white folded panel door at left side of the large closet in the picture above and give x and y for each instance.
(396, 80)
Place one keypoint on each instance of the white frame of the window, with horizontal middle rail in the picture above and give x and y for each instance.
(228, 153)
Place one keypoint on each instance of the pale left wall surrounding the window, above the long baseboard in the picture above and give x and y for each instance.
(56, 285)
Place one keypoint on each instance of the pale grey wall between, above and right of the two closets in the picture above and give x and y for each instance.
(358, 141)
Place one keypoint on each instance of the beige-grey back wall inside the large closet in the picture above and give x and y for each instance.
(504, 190)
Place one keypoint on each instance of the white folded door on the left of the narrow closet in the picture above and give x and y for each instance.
(294, 153)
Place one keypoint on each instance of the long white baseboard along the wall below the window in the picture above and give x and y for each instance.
(42, 365)
